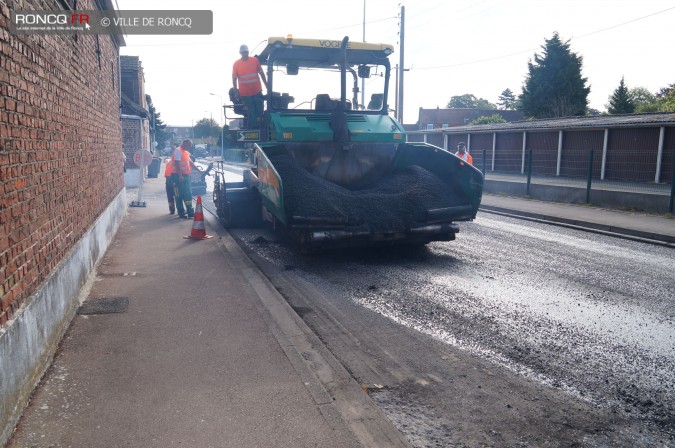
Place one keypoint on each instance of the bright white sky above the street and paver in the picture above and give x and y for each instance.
(451, 47)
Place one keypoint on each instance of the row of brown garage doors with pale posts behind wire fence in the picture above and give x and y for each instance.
(635, 159)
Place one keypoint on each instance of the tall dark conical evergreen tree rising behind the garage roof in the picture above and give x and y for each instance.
(554, 86)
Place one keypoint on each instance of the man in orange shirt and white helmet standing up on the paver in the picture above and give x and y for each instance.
(246, 75)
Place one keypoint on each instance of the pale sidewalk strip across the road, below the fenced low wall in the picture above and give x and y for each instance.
(653, 228)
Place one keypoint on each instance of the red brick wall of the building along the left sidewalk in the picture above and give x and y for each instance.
(60, 148)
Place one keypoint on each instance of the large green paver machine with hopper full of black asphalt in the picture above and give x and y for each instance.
(331, 171)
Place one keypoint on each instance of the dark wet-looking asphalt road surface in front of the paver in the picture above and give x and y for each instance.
(515, 334)
